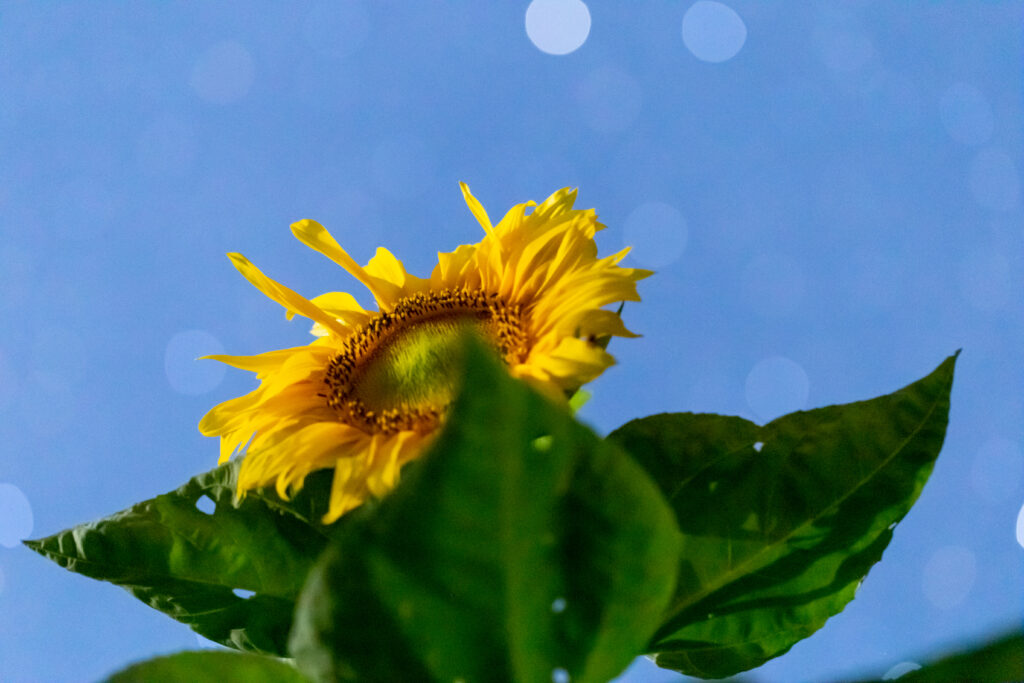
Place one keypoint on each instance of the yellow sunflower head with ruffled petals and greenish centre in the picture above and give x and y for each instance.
(371, 392)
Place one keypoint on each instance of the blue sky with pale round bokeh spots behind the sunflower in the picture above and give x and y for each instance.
(831, 194)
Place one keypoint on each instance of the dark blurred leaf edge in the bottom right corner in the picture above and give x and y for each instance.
(998, 662)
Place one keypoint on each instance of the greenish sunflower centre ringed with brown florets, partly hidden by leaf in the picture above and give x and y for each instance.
(401, 371)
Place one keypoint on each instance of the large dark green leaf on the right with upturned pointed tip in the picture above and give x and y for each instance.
(782, 523)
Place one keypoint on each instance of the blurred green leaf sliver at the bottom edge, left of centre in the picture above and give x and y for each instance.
(210, 667)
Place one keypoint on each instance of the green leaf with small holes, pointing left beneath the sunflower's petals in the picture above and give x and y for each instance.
(188, 564)
